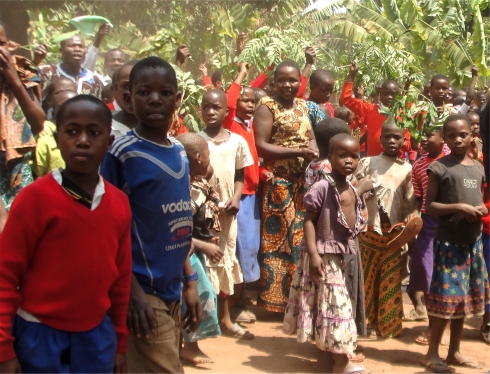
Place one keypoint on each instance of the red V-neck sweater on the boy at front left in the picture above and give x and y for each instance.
(72, 265)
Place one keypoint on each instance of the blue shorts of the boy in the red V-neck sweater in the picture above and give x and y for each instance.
(43, 349)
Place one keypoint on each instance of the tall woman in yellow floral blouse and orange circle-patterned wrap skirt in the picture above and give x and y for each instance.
(285, 140)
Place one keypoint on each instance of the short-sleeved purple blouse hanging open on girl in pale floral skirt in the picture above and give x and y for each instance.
(333, 234)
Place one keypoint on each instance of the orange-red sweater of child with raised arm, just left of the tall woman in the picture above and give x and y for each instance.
(237, 126)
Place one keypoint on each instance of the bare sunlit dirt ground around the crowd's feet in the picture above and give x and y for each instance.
(273, 352)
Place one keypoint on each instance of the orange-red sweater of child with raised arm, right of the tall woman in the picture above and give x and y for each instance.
(373, 118)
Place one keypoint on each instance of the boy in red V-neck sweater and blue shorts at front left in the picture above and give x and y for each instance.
(65, 269)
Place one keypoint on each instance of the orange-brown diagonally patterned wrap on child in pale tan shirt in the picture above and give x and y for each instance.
(382, 283)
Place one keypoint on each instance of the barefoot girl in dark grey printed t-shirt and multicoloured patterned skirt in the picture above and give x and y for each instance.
(459, 286)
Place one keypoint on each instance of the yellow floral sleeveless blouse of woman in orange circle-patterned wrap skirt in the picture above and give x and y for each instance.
(291, 128)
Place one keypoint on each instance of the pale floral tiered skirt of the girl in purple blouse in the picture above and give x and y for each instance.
(321, 311)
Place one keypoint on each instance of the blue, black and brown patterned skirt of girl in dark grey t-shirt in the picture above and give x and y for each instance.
(459, 285)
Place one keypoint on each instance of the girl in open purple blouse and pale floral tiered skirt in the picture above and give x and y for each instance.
(319, 304)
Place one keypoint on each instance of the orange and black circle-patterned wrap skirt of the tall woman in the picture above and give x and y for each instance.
(282, 231)
